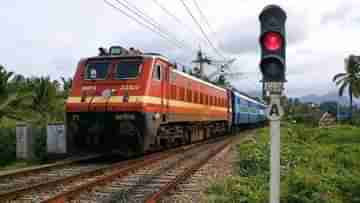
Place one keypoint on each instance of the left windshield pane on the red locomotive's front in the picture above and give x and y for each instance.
(96, 70)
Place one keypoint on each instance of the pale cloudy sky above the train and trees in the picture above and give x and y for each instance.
(49, 37)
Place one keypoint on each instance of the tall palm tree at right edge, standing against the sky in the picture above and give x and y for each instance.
(350, 79)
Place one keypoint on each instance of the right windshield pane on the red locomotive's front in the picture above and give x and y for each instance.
(128, 70)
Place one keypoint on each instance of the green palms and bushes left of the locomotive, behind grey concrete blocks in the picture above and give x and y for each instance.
(36, 100)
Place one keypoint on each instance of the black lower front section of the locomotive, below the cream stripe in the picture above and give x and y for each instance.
(105, 131)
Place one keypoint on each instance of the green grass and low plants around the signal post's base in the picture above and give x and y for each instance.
(317, 165)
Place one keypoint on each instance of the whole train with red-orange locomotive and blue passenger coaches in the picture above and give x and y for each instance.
(134, 103)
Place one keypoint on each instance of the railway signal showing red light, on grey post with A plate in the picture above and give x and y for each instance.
(273, 66)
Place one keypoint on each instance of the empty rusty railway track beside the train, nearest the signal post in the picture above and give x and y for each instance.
(145, 181)
